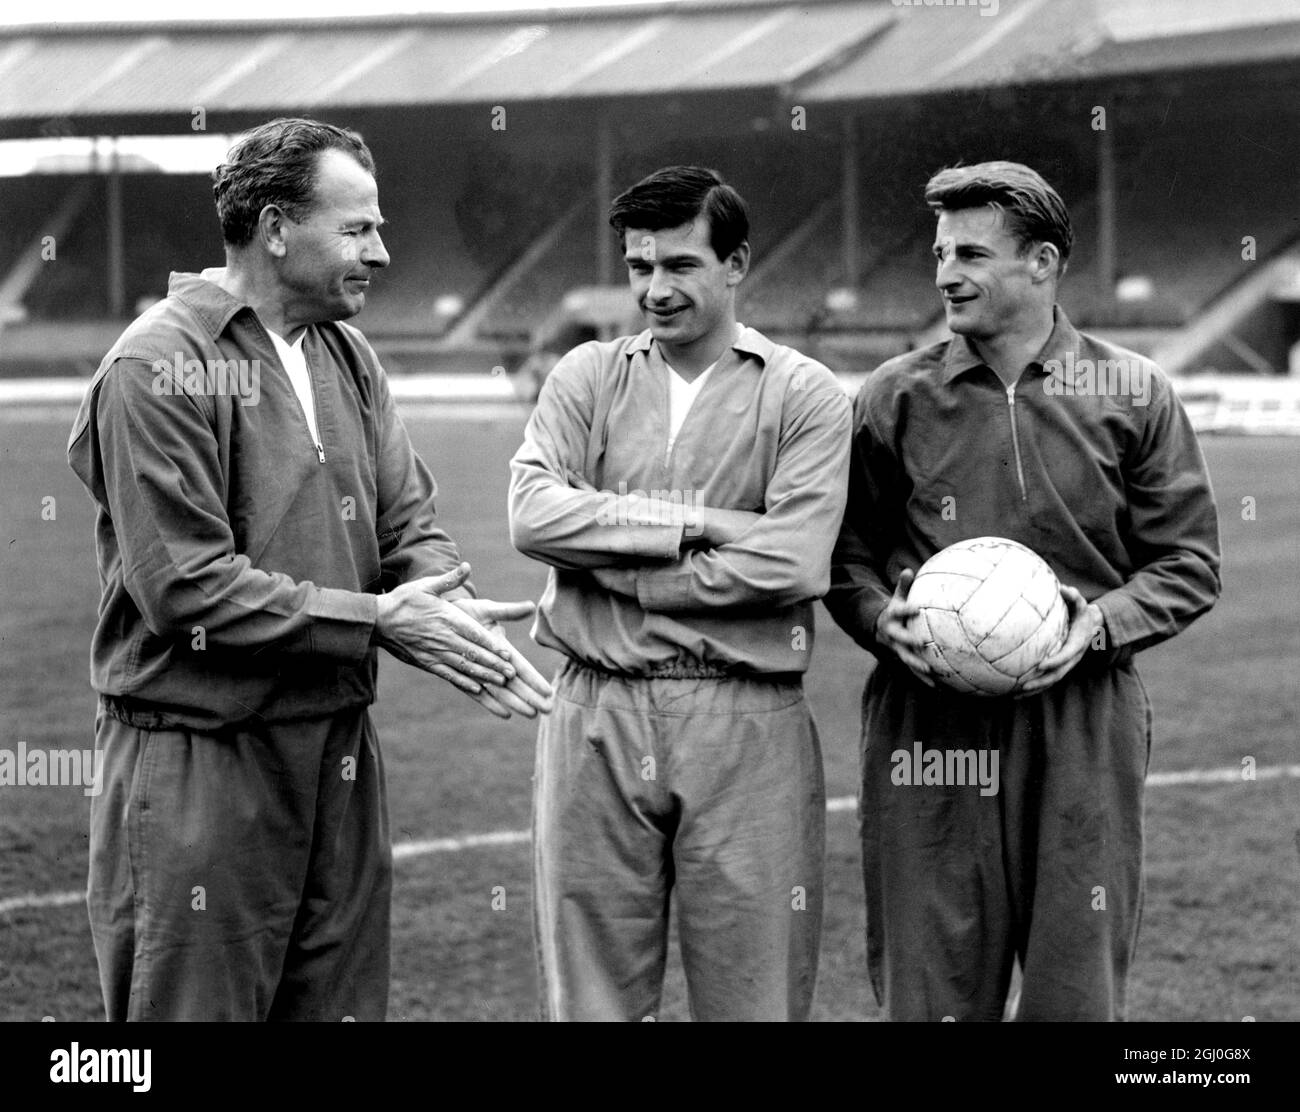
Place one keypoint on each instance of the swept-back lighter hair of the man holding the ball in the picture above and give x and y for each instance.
(1033, 210)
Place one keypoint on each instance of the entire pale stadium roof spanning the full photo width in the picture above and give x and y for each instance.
(814, 50)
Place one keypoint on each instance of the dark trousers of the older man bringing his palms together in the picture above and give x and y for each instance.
(244, 875)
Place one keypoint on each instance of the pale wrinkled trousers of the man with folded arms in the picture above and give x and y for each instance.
(708, 788)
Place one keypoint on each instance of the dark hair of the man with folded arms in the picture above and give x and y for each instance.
(677, 196)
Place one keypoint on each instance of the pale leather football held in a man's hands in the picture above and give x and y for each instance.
(991, 611)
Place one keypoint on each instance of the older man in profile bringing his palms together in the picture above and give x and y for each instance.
(263, 527)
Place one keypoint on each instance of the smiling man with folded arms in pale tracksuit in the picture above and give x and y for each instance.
(686, 487)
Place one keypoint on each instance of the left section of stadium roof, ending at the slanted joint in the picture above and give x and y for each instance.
(116, 70)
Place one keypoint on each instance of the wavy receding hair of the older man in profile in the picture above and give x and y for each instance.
(276, 163)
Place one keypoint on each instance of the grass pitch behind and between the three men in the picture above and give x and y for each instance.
(1219, 932)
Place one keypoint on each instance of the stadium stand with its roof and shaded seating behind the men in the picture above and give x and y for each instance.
(489, 228)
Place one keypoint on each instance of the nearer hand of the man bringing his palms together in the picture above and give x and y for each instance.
(421, 628)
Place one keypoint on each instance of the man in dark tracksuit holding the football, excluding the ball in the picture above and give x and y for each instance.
(1003, 431)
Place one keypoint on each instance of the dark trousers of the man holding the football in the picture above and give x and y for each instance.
(1048, 871)
